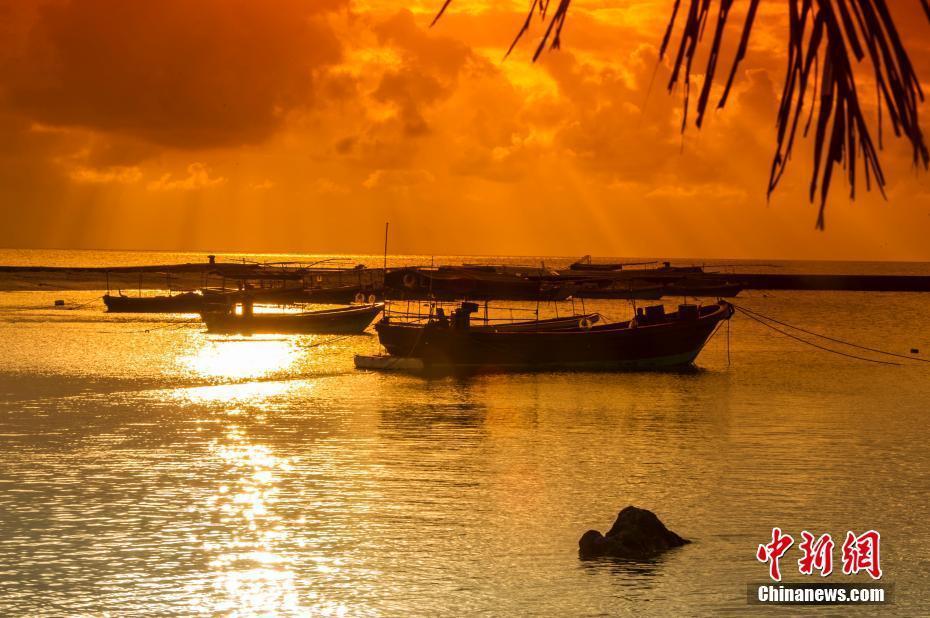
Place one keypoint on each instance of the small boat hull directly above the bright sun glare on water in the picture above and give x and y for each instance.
(353, 319)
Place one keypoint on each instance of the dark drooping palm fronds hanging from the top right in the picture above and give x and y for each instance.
(827, 39)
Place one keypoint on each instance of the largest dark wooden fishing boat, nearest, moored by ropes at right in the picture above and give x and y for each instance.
(652, 340)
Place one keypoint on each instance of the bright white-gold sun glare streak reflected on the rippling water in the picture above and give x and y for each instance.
(252, 547)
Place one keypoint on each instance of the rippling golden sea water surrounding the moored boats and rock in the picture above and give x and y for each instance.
(147, 468)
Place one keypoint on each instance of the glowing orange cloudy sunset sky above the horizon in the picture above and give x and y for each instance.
(304, 125)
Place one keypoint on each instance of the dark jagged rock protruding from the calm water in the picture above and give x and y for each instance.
(637, 534)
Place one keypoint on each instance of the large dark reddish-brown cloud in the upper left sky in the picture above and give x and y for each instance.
(174, 72)
